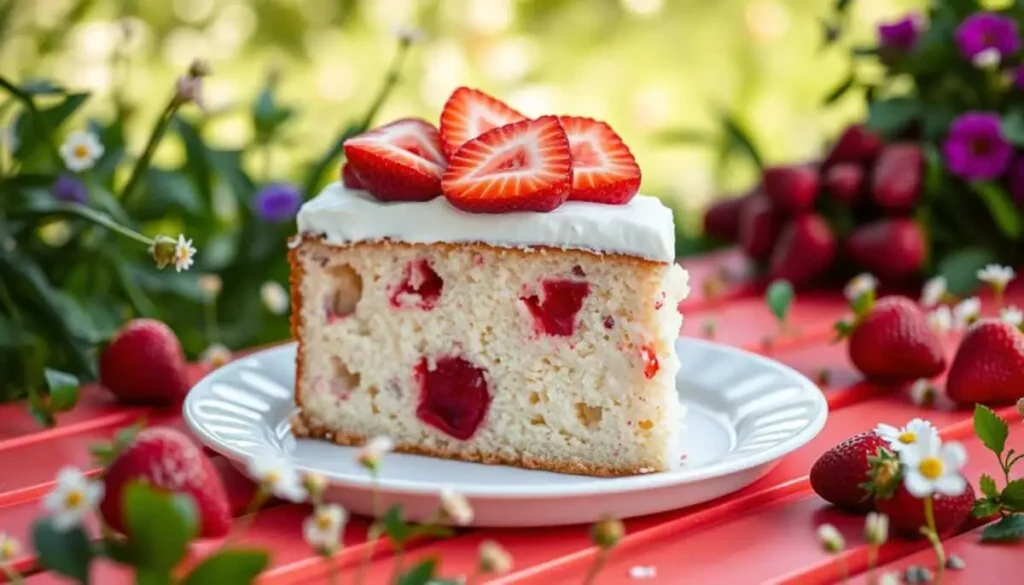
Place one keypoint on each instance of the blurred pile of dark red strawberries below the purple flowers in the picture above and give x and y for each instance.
(854, 206)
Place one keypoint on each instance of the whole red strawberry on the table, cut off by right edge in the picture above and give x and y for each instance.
(989, 367)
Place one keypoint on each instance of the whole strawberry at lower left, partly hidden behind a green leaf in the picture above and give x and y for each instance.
(167, 461)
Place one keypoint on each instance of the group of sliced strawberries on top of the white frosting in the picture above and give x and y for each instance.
(488, 158)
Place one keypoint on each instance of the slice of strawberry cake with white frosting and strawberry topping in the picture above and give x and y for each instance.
(495, 291)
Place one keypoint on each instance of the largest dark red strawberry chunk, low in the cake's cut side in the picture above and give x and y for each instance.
(455, 396)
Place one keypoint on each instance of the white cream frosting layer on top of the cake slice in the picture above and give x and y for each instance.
(642, 228)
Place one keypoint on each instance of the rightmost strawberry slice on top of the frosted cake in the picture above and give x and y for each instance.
(604, 168)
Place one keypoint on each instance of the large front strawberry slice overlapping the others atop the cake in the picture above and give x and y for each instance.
(525, 166)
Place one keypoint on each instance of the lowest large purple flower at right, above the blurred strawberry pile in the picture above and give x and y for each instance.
(975, 148)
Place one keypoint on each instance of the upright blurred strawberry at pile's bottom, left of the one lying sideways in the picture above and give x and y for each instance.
(806, 248)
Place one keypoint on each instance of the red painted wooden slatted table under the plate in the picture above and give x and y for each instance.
(763, 534)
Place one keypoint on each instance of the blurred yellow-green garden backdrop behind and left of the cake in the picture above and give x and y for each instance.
(290, 76)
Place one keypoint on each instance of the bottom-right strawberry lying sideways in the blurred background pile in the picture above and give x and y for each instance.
(889, 248)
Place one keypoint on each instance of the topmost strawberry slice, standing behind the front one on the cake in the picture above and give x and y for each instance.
(471, 113)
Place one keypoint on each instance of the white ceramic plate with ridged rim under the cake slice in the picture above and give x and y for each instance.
(744, 413)
